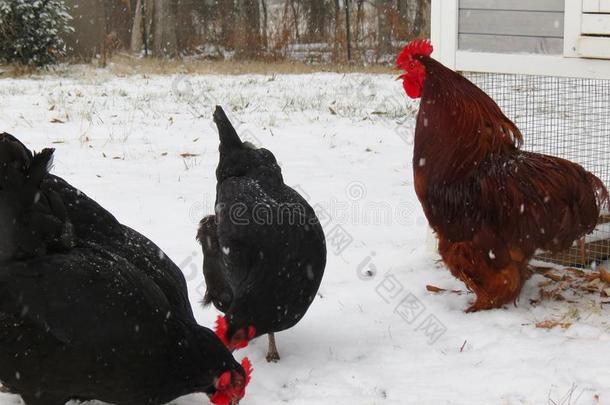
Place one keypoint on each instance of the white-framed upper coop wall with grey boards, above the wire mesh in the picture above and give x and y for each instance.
(569, 38)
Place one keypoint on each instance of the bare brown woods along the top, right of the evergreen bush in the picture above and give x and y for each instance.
(309, 30)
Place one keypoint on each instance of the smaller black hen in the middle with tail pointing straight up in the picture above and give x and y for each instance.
(264, 250)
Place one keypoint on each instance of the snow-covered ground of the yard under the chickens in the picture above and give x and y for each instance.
(145, 148)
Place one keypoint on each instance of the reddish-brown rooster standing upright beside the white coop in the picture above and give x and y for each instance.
(491, 204)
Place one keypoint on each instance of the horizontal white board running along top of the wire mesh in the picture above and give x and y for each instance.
(532, 65)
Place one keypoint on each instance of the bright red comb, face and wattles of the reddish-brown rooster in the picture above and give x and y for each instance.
(415, 72)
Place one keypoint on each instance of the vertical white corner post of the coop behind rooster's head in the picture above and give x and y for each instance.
(445, 30)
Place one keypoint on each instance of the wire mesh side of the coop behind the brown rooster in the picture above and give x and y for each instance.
(565, 117)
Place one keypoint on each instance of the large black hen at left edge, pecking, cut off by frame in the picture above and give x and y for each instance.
(90, 309)
